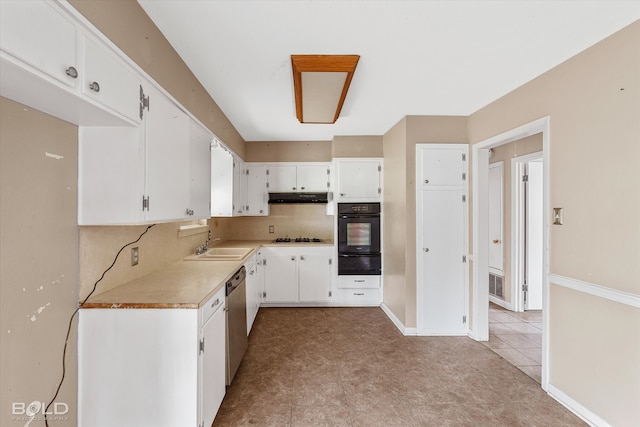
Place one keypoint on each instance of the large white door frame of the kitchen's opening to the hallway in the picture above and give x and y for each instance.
(480, 212)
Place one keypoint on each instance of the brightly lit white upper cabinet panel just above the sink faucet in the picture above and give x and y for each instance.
(221, 182)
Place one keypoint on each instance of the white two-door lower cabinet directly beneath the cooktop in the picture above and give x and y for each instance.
(297, 274)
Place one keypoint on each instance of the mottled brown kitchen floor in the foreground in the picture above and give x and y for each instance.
(352, 367)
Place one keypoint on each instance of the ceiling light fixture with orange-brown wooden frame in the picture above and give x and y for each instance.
(320, 85)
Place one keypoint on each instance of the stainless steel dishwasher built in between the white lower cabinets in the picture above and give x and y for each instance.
(236, 311)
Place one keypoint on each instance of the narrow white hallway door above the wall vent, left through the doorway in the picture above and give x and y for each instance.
(496, 254)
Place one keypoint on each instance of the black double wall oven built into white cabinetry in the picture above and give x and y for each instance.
(359, 239)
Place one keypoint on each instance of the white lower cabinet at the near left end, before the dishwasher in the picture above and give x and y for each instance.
(151, 367)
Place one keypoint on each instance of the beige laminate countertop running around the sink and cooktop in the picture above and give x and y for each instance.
(183, 284)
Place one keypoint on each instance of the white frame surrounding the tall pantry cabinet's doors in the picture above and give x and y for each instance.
(419, 244)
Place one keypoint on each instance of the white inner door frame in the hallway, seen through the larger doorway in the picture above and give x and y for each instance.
(518, 227)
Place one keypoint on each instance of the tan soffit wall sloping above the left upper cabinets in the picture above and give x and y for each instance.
(126, 24)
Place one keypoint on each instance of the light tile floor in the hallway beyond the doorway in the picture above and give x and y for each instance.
(517, 337)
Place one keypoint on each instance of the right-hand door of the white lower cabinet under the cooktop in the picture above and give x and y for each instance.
(314, 273)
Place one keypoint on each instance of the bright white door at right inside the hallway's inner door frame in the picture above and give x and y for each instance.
(534, 233)
